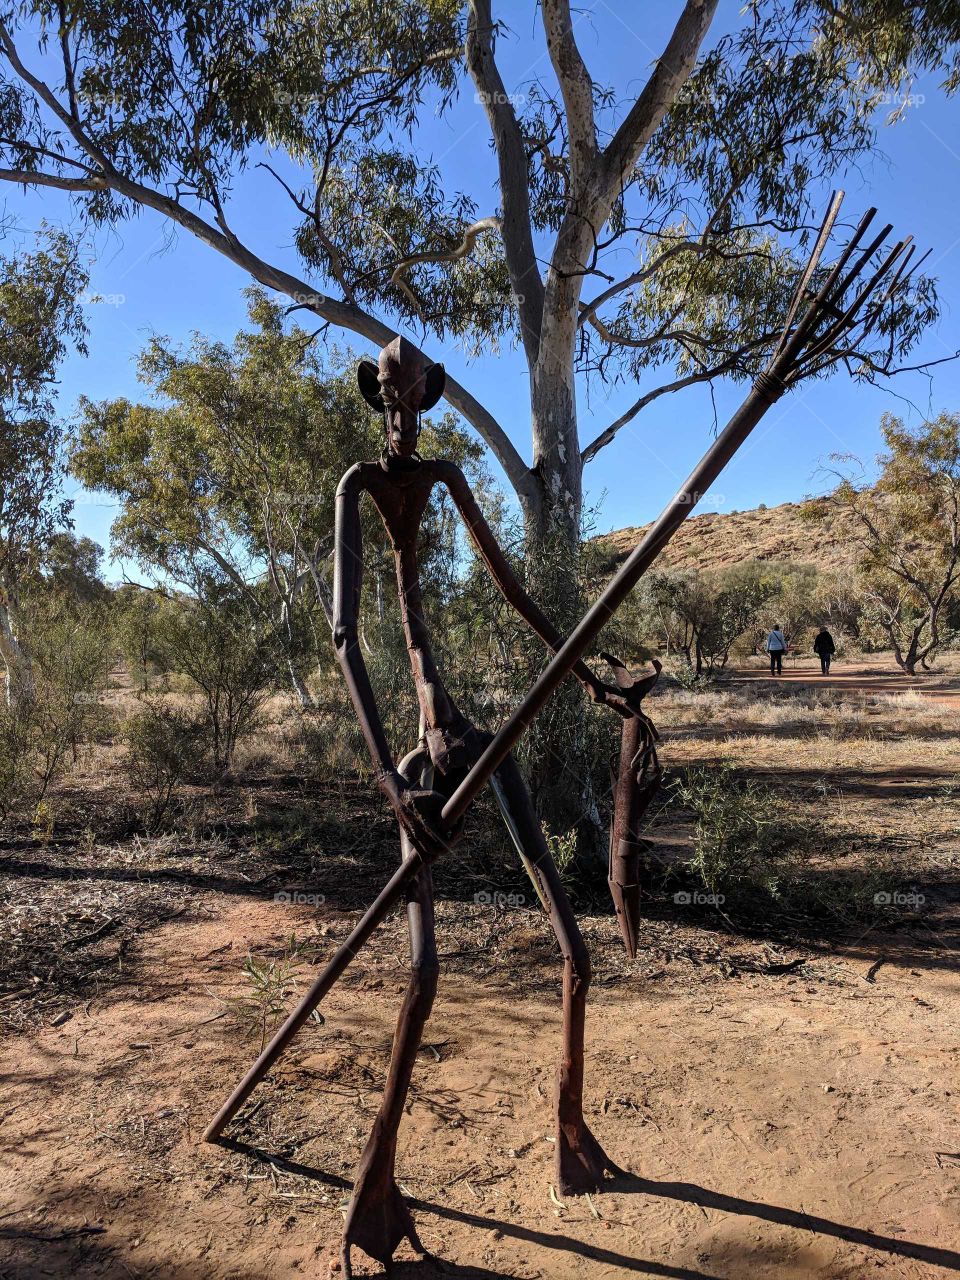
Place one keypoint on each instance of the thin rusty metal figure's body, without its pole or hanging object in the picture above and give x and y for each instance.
(400, 486)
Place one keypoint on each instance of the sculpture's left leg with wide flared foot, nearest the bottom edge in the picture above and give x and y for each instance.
(378, 1218)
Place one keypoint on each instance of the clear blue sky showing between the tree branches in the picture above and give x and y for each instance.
(158, 282)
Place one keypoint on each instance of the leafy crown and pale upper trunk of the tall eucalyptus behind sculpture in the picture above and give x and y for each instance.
(642, 231)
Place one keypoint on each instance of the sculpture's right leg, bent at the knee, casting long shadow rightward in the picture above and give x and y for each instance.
(580, 1162)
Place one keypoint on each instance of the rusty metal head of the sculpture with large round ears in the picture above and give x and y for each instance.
(401, 386)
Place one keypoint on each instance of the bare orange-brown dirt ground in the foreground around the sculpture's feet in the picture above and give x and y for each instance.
(793, 1124)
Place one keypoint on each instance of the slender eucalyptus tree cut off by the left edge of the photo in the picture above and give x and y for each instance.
(40, 321)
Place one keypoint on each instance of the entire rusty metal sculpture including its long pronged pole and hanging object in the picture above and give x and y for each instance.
(435, 785)
